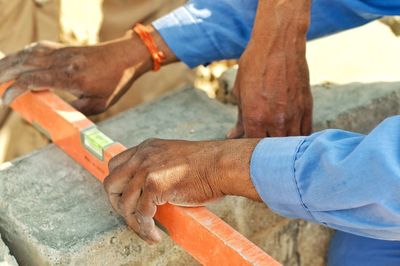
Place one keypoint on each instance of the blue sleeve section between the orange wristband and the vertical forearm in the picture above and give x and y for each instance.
(203, 31)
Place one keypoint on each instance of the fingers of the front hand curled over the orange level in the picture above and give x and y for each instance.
(132, 194)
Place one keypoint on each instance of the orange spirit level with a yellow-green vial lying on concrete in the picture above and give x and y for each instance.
(201, 233)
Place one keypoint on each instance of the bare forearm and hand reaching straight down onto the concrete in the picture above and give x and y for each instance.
(272, 85)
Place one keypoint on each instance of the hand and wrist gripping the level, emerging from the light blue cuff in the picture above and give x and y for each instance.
(178, 172)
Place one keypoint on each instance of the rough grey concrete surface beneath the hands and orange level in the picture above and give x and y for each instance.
(54, 213)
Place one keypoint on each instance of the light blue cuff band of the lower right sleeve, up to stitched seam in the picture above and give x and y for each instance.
(273, 174)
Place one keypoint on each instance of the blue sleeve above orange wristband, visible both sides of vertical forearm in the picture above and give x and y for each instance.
(203, 31)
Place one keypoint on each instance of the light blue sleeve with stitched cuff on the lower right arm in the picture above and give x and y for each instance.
(344, 180)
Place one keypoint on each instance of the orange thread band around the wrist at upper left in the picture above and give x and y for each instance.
(148, 40)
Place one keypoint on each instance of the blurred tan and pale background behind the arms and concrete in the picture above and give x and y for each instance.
(366, 54)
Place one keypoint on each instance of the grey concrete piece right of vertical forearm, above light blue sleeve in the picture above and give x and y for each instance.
(356, 106)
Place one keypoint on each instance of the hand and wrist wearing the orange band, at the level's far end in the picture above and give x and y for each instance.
(97, 75)
